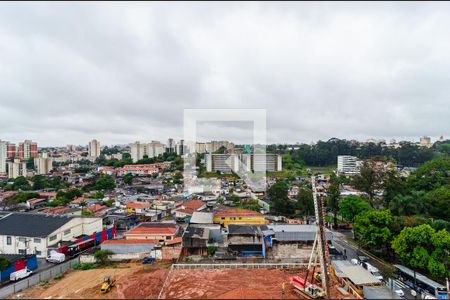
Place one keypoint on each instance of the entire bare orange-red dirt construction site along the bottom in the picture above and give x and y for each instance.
(139, 281)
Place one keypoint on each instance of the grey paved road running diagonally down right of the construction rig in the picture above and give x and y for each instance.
(340, 242)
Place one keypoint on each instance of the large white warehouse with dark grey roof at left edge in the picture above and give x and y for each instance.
(19, 233)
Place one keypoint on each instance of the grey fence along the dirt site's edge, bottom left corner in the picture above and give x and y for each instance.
(38, 277)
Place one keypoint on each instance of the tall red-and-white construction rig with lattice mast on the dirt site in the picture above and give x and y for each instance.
(319, 252)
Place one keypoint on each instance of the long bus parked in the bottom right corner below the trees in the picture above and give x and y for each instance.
(424, 285)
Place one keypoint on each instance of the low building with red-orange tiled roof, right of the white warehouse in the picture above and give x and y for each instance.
(160, 232)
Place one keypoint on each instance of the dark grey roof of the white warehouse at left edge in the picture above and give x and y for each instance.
(30, 225)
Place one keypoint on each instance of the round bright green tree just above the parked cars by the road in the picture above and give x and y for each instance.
(372, 229)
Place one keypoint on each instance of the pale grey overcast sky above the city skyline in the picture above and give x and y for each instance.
(122, 72)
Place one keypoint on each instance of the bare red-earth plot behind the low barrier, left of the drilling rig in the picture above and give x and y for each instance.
(229, 284)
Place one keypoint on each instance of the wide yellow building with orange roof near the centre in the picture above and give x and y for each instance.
(238, 216)
